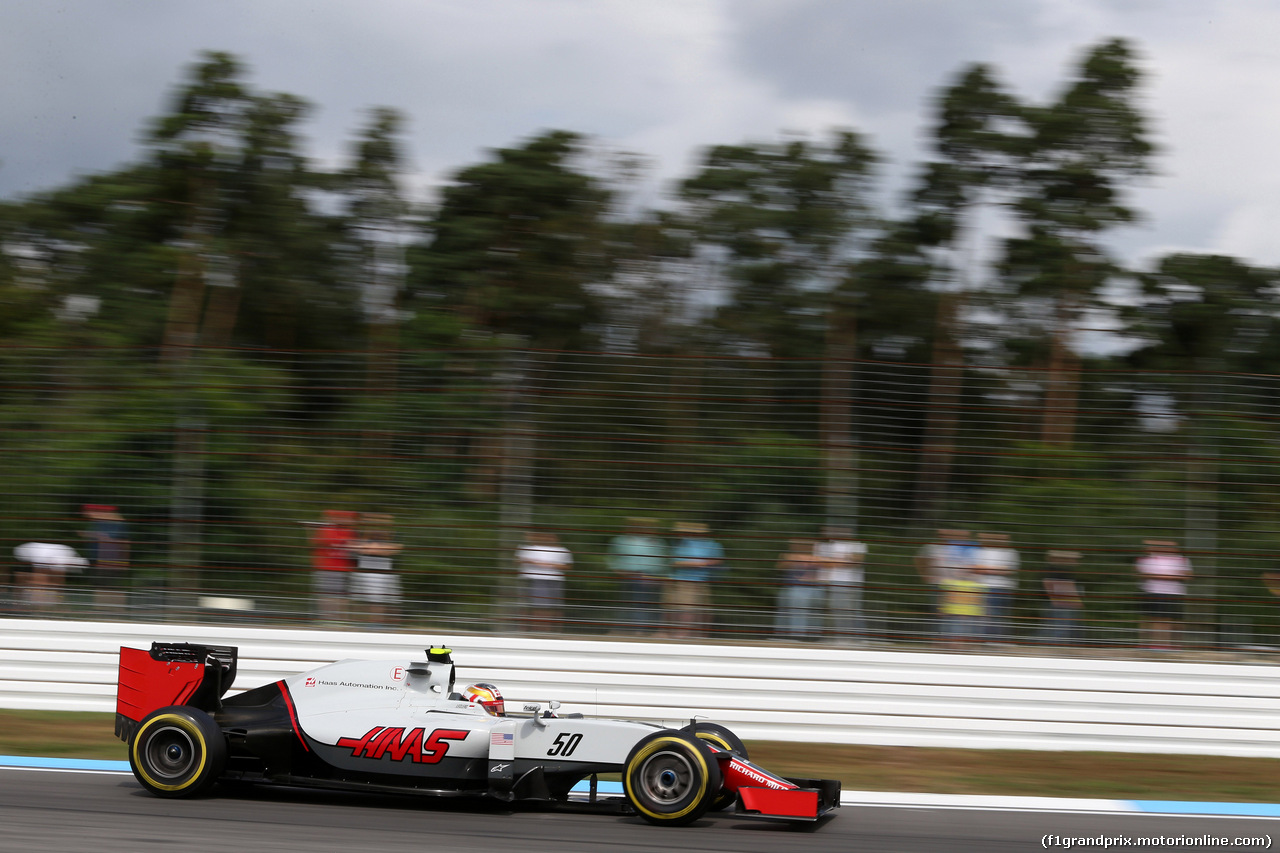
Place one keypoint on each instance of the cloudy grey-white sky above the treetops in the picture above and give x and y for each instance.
(661, 79)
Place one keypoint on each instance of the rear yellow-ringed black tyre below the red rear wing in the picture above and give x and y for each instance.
(179, 752)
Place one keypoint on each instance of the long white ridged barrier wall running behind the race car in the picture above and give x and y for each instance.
(765, 694)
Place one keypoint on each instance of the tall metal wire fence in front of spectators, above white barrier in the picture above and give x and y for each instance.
(221, 469)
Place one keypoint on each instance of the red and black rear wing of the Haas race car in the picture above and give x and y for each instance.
(170, 674)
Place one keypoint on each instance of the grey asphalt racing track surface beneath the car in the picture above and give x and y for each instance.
(65, 813)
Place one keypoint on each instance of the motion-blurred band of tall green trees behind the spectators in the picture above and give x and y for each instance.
(182, 332)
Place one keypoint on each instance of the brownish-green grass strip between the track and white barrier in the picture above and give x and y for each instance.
(1110, 776)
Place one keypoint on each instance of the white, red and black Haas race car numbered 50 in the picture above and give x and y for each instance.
(399, 727)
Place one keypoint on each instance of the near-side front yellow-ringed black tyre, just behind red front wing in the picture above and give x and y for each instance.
(671, 778)
